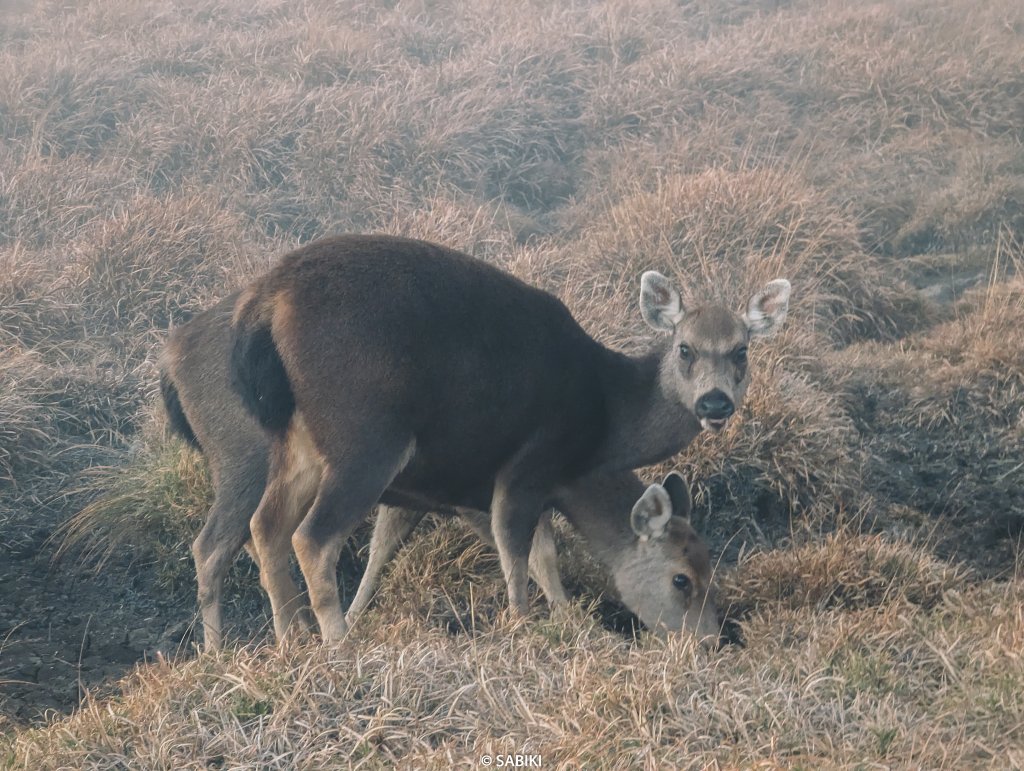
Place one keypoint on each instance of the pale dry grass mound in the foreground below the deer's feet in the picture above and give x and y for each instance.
(889, 683)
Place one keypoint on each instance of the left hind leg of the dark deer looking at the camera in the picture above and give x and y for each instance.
(292, 485)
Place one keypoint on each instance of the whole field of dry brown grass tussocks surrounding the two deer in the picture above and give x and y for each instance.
(867, 510)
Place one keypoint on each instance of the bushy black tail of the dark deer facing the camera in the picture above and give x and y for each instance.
(259, 377)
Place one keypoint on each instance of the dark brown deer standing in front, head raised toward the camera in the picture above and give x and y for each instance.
(398, 368)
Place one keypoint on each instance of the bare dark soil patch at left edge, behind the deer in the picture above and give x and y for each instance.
(65, 632)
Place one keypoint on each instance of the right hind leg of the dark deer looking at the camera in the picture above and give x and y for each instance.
(350, 488)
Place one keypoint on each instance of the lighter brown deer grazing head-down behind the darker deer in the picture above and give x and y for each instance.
(206, 413)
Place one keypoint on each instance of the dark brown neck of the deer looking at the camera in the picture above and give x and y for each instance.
(646, 425)
